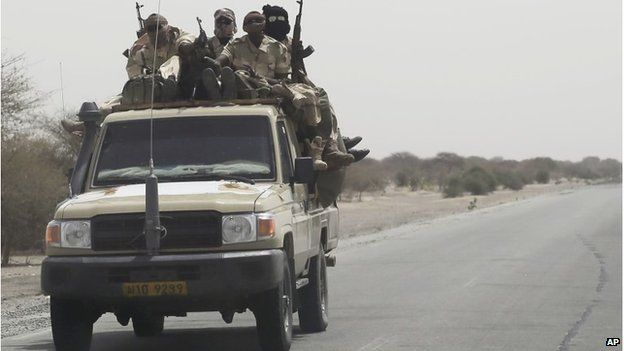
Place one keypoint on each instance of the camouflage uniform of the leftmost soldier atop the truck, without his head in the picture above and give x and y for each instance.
(142, 52)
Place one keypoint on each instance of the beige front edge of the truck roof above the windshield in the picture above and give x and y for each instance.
(249, 107)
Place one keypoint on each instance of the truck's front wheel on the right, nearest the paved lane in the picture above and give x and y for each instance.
(273, 313)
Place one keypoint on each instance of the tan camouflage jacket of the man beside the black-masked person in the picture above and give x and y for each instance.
(269, 59)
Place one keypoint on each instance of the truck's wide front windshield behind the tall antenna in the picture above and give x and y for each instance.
(186, 149)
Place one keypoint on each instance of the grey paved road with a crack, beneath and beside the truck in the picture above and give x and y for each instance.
(540, 274)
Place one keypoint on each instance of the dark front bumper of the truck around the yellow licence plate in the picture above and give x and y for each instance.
(207, 275)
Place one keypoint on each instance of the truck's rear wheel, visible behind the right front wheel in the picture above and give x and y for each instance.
(313, 297)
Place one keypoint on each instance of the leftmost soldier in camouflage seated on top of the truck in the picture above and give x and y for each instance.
(172, 41)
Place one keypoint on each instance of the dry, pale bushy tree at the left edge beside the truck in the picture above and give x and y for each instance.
(35, 156)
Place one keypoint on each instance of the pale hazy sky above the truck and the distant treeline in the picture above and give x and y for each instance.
(511, 78)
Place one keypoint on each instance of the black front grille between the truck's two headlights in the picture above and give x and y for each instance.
(184, 230)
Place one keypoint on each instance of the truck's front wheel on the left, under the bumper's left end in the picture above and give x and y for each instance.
(72, 325)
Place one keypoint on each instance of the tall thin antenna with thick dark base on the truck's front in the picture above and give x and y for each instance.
(153, 229)
